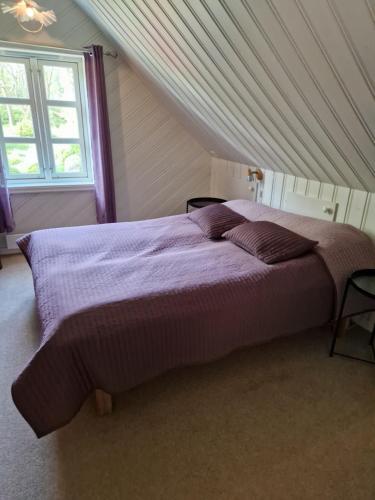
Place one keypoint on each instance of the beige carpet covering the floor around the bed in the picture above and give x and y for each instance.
(278, 421)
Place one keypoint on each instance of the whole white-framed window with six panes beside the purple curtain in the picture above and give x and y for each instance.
(43, 119)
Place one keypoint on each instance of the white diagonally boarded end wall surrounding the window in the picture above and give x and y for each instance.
(157, 163)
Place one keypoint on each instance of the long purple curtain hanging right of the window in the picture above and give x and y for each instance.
(100, 135)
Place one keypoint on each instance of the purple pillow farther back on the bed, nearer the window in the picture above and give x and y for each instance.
(215, 219)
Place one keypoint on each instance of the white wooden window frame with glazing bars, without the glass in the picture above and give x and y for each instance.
(34, 61)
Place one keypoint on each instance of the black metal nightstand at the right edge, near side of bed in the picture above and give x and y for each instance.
(362, 282)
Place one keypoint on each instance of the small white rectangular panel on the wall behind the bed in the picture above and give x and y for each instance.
(312, 207)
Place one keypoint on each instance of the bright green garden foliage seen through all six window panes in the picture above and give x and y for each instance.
(17, 121)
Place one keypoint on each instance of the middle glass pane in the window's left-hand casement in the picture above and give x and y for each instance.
(16, 120)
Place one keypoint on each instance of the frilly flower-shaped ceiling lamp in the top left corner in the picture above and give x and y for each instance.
(28, 11)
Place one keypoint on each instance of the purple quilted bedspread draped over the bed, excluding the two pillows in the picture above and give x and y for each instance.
(121, 303)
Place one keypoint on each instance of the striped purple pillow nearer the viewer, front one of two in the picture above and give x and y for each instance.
(269, 242)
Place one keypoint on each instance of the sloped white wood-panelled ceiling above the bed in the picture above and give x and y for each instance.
(284, 84)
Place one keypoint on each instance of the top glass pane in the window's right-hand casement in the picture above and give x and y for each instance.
(59, 82)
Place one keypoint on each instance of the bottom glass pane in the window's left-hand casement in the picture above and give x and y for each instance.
(22, 159)
